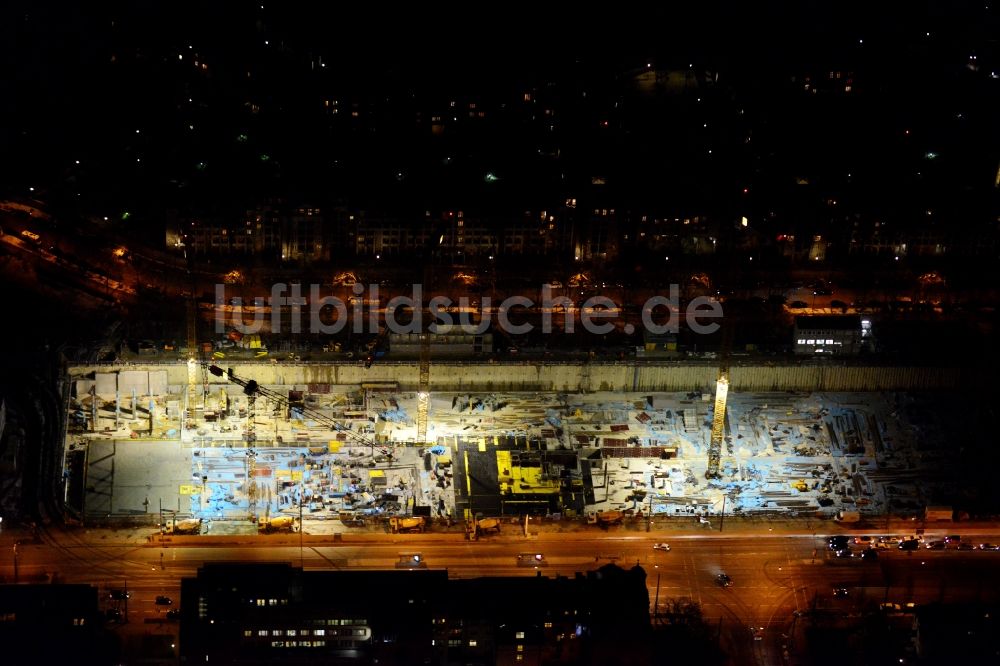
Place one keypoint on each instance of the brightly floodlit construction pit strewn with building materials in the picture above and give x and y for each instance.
(345, 456)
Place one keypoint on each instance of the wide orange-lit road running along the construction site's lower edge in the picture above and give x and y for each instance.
(774, 576)
